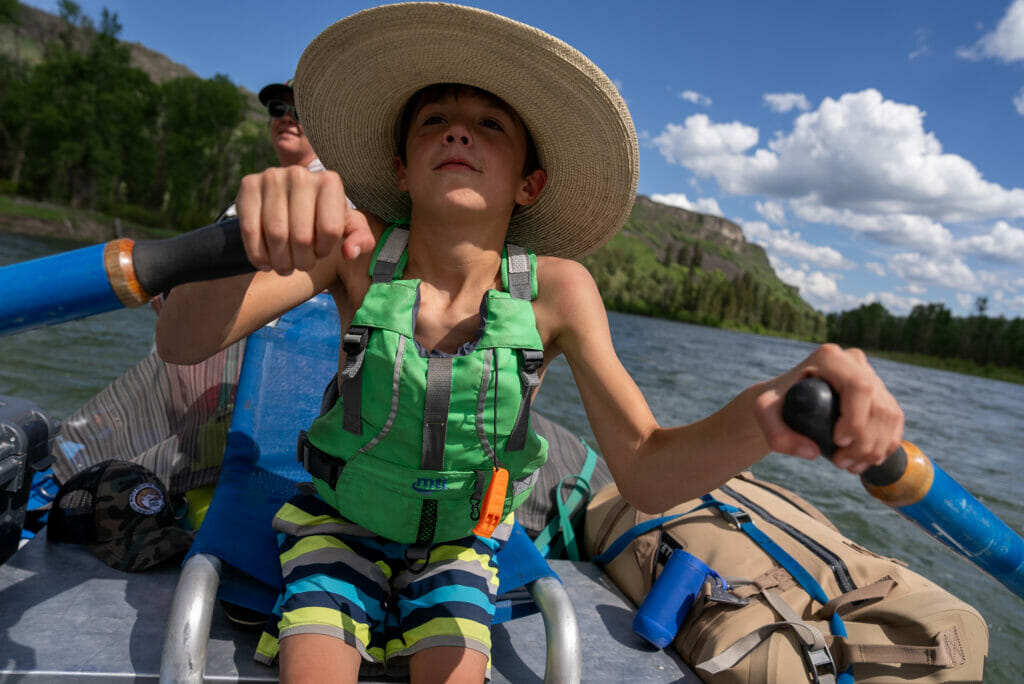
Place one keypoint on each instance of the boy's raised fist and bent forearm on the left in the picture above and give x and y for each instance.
(298, 232)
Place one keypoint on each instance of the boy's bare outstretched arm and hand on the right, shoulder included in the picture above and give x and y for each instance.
(657, 468)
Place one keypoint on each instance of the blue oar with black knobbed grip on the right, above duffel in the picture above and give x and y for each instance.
(920, 490)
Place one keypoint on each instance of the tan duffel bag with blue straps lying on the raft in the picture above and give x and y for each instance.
(901, 627)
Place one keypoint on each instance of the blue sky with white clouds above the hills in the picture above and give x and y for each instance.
(874, 149)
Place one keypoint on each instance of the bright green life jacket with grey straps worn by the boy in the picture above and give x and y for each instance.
(411, 445)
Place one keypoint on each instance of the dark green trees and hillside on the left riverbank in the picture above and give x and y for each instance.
(81, 123)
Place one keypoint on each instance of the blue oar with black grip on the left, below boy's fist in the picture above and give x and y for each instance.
(122, 273)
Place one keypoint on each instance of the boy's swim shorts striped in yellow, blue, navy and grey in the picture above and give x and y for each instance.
(374, 594)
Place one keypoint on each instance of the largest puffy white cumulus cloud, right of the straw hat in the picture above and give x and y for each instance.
(860, 153)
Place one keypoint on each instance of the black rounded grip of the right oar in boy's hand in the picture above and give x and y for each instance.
(812, 408)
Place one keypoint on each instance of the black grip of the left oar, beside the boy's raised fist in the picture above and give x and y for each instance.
(205, 254)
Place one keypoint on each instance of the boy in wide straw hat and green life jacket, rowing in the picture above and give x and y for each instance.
(461, 174)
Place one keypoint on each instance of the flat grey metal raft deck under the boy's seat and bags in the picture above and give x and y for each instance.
(65, 616)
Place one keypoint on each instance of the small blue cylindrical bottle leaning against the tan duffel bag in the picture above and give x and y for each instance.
(665, 609)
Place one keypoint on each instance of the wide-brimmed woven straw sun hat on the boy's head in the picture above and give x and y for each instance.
(355, 79)
